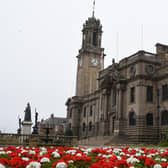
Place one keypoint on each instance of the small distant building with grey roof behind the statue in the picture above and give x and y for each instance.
(55, 125)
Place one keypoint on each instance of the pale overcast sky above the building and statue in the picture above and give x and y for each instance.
(39, 41)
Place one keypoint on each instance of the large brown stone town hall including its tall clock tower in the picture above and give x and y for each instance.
(128, 99)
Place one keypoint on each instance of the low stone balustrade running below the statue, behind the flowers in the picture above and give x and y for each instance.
(37, 140)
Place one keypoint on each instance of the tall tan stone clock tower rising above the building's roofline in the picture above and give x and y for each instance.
(90, 57)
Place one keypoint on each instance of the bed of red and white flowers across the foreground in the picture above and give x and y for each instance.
(68, 157)
